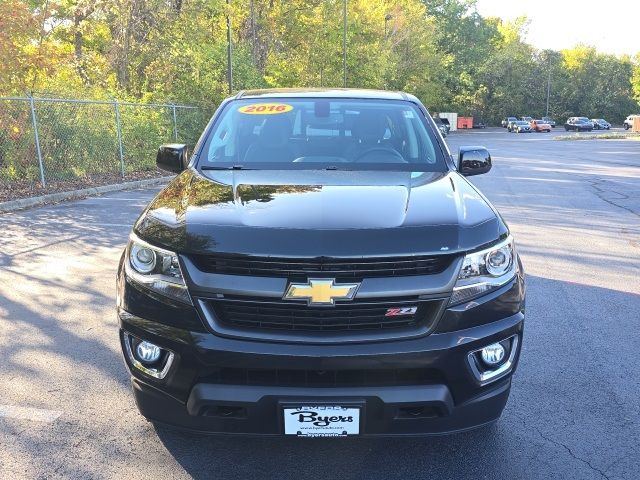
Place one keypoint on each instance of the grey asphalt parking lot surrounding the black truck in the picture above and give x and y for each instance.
(574, 208)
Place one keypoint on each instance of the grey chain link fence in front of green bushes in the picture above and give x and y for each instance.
(50, 144)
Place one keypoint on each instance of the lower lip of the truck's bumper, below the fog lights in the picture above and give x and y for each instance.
(387, 411)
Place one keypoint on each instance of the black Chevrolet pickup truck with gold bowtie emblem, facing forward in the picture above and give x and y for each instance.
(321, 266)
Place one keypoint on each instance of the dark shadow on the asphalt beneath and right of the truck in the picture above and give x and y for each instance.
(550, 423)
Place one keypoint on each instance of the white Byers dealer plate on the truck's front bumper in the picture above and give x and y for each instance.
(322, 421)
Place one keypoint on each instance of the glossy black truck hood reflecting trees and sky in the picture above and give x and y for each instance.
(319, 213)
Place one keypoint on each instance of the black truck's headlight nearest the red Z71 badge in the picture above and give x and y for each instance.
(484, 271)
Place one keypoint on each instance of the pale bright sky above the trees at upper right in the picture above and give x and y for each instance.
(612, 26)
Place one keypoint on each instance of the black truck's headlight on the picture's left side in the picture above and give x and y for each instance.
(155, 269)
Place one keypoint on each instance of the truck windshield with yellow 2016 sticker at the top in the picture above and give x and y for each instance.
(351, 134)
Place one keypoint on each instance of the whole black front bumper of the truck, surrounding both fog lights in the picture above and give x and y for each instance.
(194, 395)
